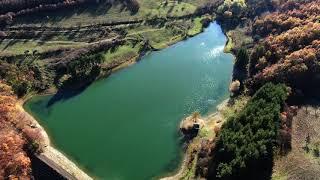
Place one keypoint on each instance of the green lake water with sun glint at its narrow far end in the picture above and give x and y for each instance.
(126, 126)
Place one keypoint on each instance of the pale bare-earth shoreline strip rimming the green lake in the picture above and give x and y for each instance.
(56, 156)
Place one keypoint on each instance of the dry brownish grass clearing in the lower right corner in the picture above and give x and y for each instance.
(298, 164)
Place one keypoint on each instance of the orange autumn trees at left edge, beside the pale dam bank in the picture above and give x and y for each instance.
(14, 162)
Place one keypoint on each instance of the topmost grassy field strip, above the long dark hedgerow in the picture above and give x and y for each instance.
(103, 13)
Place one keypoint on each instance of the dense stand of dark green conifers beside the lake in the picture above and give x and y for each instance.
(245, 145)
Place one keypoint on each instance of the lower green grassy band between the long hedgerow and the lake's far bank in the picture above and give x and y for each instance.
(159, 37)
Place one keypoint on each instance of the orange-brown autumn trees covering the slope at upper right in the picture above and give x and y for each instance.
(291, 41)
